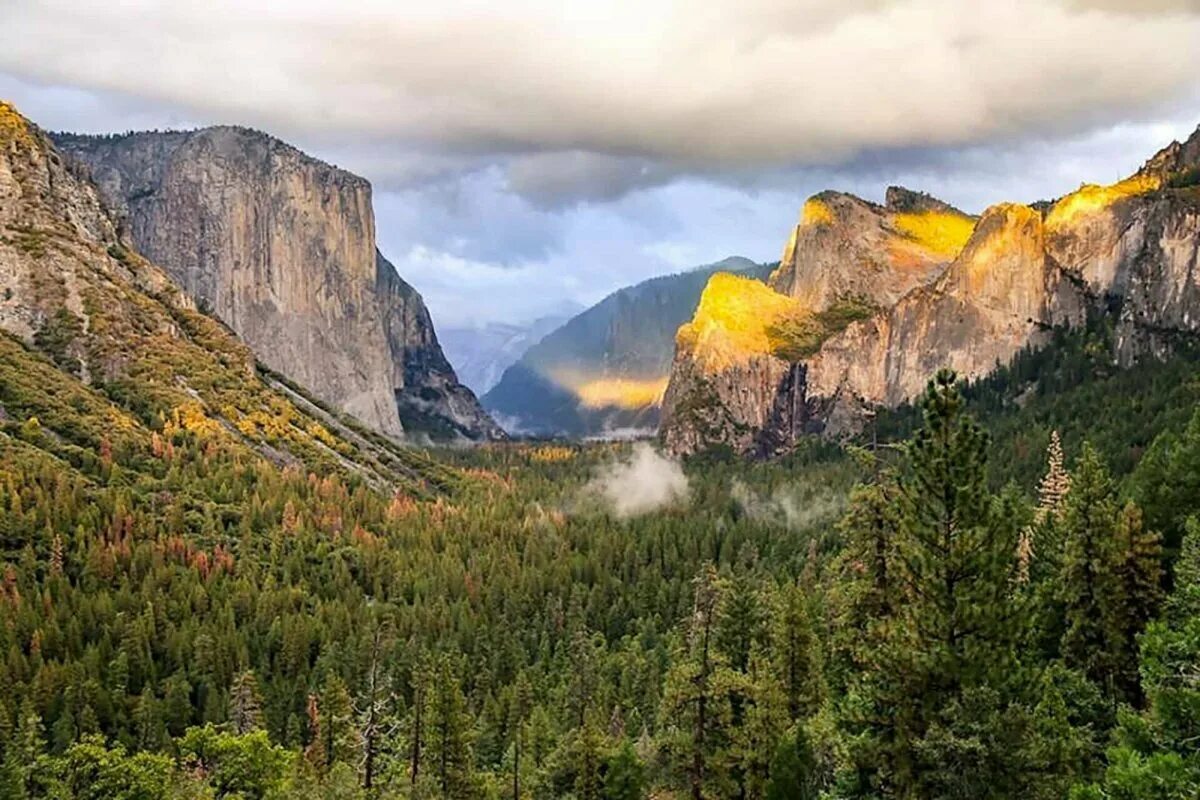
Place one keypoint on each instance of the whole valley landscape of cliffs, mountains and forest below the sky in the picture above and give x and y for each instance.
(910, 514)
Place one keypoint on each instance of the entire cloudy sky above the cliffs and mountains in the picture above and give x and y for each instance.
(532, 154)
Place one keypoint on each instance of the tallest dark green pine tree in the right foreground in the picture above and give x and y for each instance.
(950, 642)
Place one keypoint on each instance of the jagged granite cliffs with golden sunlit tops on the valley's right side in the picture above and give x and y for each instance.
(956, 294)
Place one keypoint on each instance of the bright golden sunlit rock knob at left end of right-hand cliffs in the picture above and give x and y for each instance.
(735, 321)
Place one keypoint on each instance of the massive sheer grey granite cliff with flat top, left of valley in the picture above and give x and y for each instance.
(281, 248)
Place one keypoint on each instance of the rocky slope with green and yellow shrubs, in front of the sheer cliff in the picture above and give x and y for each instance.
(104, 357)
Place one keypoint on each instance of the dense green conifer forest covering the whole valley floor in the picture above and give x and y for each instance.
(995, 593)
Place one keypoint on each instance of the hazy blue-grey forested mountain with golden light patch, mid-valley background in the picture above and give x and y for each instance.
(604, 372)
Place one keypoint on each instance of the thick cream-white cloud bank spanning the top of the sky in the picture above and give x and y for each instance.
(727, 82)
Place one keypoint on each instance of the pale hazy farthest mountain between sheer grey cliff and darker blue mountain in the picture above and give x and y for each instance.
(482, 354)
